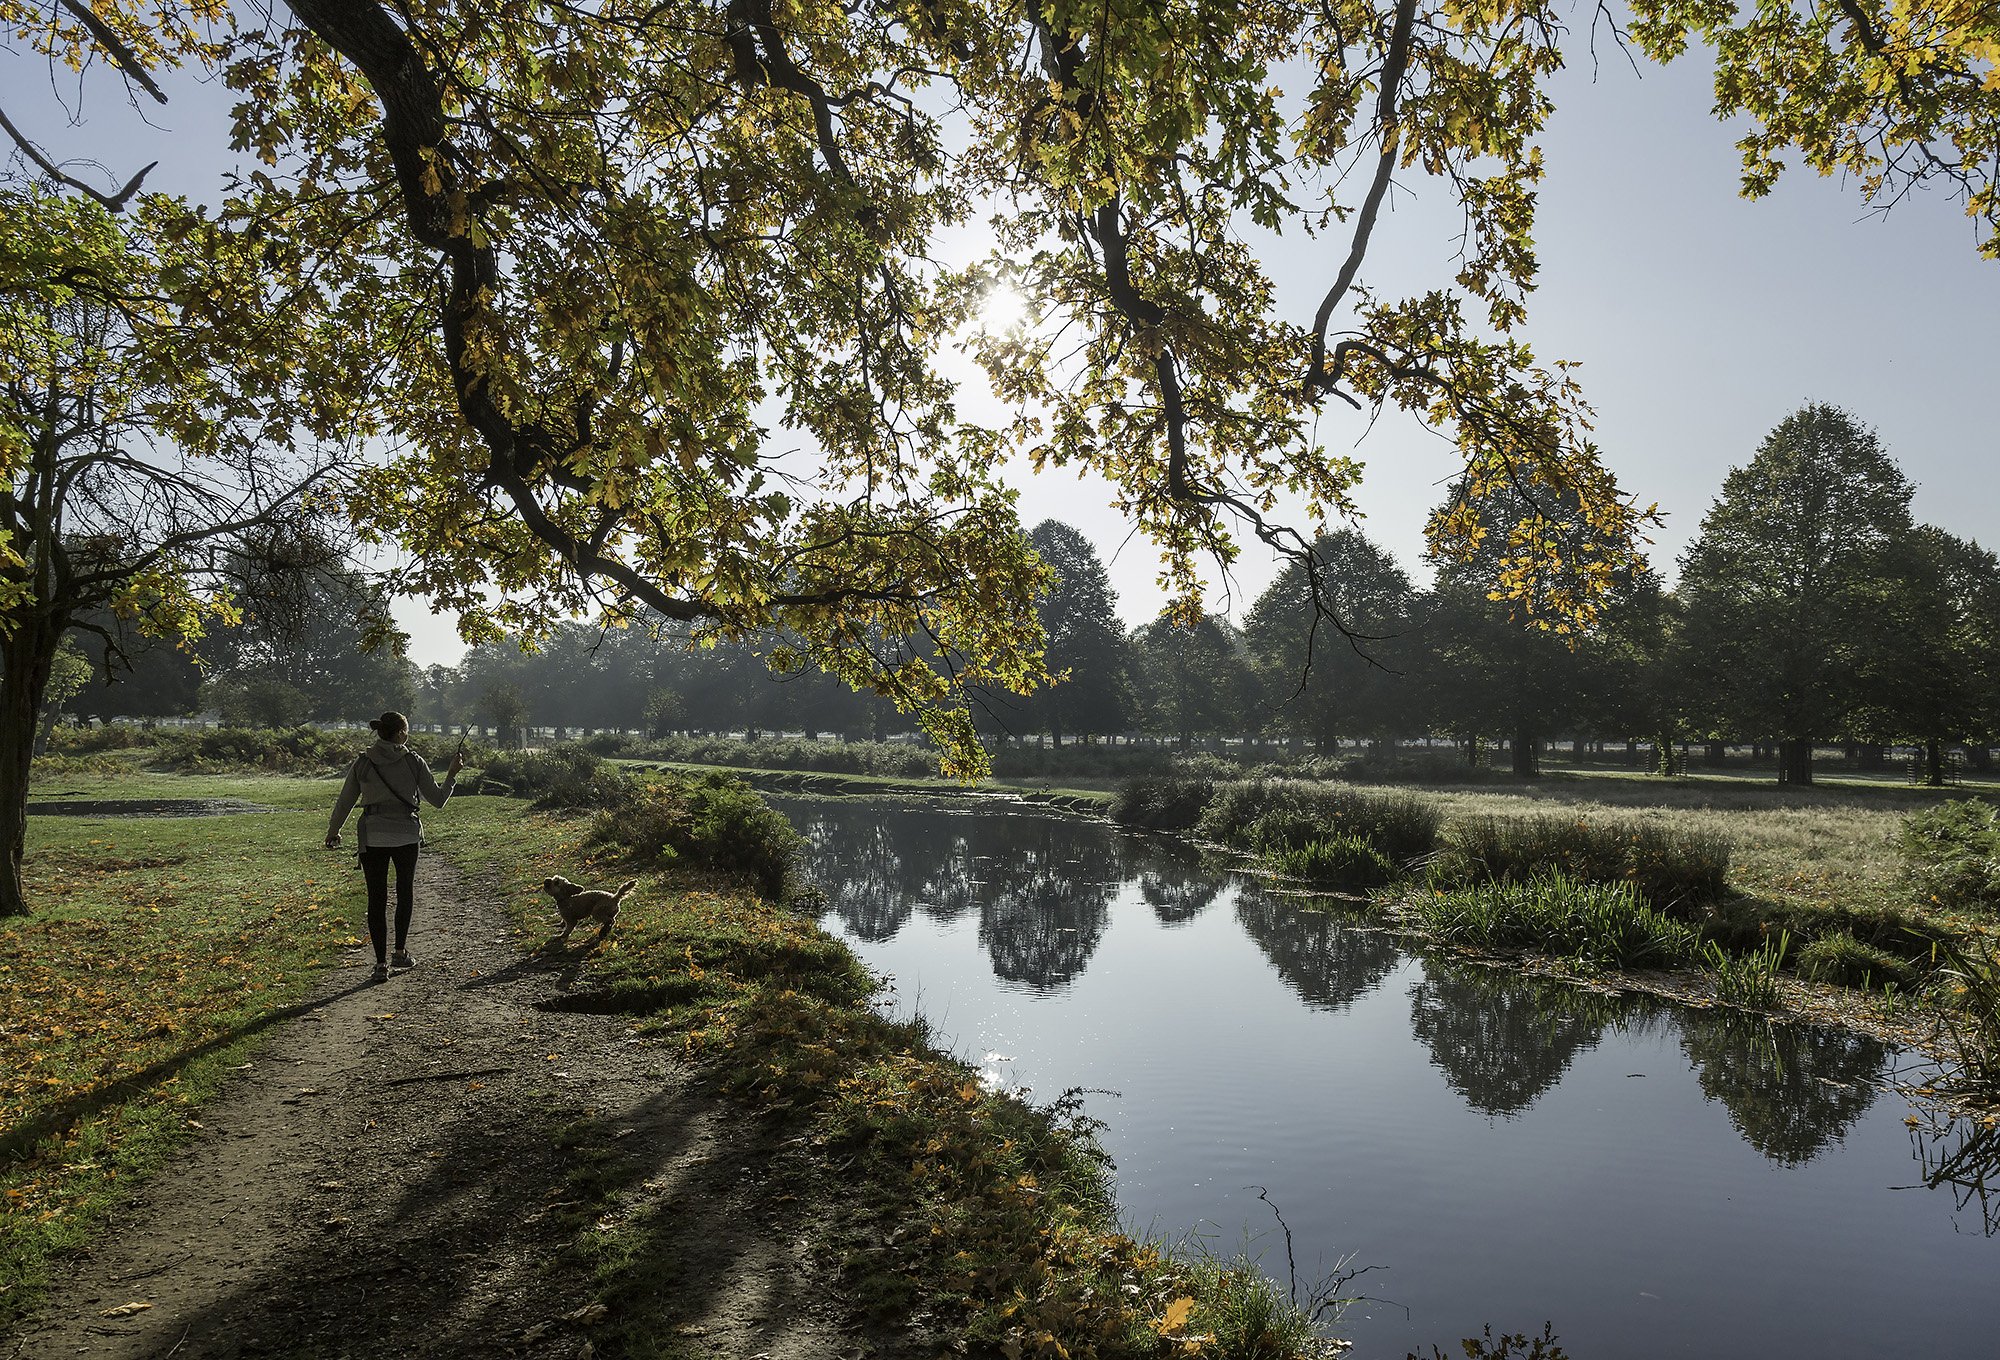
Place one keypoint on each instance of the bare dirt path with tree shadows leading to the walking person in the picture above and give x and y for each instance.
(393, 1177)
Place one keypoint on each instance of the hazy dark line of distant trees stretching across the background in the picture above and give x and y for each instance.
(1811, 609)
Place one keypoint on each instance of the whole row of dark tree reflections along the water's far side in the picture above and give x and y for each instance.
(1043, 889)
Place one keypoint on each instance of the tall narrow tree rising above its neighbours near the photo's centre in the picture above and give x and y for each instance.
(1087, 645)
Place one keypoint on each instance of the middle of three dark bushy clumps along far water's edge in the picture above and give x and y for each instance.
(1281, 815)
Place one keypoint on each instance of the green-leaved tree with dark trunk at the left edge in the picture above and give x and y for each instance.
(139, 447)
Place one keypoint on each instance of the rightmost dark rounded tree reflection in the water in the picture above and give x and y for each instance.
(1789, 1089)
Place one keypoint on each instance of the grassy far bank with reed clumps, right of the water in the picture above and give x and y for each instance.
(1885, 891)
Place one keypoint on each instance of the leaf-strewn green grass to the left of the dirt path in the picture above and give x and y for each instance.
(157, 955)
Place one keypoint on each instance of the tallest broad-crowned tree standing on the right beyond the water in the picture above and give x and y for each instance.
(1783, 579)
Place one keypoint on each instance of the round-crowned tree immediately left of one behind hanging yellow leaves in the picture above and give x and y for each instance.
(1317, 683)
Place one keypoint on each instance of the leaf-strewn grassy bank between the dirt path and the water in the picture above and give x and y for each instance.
(967, 1211)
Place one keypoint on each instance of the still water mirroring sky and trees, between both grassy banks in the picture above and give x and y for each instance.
(1655, 1181)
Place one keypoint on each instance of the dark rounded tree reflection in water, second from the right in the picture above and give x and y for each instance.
(1503, 1039)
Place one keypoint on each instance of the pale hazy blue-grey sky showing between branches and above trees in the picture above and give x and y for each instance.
(1701, 319)
